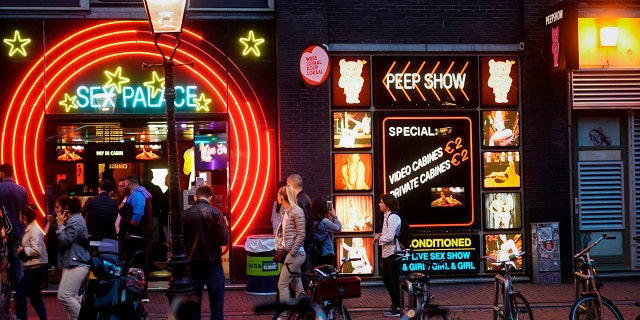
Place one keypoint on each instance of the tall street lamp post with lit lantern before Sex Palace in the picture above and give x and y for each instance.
(165, 18)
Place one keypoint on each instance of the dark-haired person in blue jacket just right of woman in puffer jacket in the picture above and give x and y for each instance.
(325, 223)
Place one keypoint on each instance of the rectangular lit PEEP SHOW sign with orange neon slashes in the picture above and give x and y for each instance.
(425, 81)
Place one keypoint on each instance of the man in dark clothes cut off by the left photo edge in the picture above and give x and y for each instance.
(13, 197)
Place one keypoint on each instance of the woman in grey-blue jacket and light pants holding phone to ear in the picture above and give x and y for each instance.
(73, 252)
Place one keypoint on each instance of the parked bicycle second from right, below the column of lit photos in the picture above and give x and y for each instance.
(514, 304)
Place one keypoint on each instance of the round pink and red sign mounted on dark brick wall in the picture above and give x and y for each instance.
(314, 65)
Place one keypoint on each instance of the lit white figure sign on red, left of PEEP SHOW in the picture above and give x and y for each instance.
(351, 81)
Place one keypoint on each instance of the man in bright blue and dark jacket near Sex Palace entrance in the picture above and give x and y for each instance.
(139, 221)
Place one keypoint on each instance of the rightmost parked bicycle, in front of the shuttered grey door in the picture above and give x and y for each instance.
(590, 304)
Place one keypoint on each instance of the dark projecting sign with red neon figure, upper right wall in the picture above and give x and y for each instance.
(561, 52)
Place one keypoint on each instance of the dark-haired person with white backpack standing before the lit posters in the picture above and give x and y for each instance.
(386, 239)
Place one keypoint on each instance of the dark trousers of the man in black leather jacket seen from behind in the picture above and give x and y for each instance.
(203, 272)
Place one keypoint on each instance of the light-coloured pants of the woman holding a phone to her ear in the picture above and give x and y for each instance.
(70, 282)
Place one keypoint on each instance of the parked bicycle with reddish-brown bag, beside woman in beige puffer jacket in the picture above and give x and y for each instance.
(327, 289)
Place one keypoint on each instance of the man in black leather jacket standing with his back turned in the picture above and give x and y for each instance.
(205, 231)
